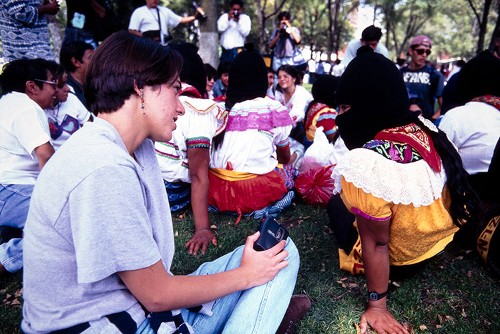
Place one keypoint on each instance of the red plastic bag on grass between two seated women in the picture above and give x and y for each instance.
(315, 185)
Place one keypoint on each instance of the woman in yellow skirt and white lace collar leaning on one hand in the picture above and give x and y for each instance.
(402, 180)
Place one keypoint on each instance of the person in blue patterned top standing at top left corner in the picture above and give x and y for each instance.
(24, 31)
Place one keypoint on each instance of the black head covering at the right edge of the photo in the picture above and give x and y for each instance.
(479, 76)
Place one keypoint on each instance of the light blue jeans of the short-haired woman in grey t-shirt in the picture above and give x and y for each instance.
(256, 310)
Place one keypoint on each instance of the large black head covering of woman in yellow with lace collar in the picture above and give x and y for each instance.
(376, 92)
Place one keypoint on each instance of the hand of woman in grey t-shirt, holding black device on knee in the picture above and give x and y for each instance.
(261, 267)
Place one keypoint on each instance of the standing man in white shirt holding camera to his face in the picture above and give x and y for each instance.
(234, 27)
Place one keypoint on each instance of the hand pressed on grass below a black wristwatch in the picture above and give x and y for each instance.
(380, 320)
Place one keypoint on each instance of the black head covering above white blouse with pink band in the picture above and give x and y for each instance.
(247, 77)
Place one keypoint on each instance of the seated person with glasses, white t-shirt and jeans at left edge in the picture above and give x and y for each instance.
(28, 87)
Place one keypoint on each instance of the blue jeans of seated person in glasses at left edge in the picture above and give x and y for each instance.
(14, 206)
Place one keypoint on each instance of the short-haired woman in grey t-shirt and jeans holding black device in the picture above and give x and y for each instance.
(99, 237)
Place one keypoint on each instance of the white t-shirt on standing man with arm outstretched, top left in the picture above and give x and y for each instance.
(145, 19)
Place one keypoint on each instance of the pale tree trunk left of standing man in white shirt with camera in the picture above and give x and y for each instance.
(209, 37)
